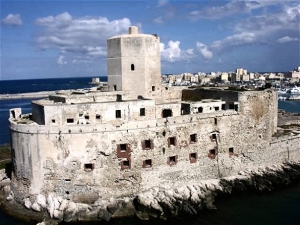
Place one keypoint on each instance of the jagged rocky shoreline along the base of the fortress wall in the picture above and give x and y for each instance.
(162, 202)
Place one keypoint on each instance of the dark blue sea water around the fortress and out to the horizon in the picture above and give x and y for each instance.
(279, 207)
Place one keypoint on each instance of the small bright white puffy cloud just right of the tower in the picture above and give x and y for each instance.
(173, 52)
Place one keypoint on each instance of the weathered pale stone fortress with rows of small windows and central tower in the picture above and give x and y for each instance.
(88, 154)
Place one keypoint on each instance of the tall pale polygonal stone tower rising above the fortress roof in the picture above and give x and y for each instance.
(133, 62)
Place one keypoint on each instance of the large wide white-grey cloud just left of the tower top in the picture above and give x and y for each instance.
(83, 37)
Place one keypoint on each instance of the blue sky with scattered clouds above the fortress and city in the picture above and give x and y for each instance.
(42, 39)
